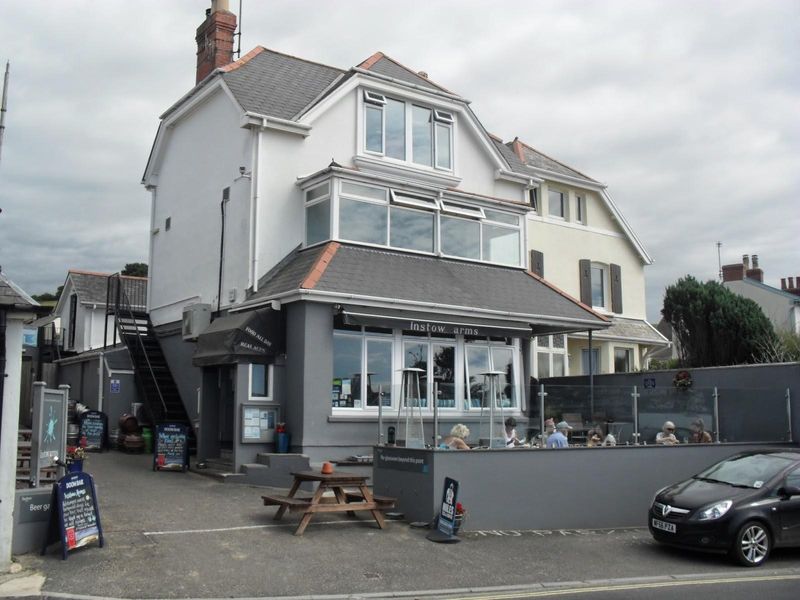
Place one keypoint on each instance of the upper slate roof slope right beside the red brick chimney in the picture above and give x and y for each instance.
(277, 85)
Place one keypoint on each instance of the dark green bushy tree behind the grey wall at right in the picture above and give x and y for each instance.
(713, 326)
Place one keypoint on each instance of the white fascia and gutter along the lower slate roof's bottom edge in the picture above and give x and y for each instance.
(399, 304)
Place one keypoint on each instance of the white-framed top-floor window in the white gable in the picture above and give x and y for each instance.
(408, 132)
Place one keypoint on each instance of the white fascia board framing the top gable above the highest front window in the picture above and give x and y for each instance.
(411, 92)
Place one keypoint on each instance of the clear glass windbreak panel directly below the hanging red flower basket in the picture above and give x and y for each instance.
(686, 409)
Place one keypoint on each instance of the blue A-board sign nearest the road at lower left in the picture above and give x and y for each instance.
(76, 520)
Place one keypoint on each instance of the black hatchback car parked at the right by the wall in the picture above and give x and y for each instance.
(744, 505)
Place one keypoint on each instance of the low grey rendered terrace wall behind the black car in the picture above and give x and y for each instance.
(546, 489)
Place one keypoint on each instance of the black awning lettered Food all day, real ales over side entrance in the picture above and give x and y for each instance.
(254, 336)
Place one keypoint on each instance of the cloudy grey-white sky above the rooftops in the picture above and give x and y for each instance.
(689, 111)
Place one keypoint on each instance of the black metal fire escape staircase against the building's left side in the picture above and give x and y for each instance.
(126, 300)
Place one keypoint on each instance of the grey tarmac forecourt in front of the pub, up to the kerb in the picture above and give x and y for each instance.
(183, 535)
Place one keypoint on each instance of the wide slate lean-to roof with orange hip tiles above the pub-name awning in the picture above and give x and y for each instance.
(392, 275)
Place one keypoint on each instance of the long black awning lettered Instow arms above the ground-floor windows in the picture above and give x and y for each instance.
(425, 323)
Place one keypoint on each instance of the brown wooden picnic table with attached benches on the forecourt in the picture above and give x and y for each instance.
(345, 501)
